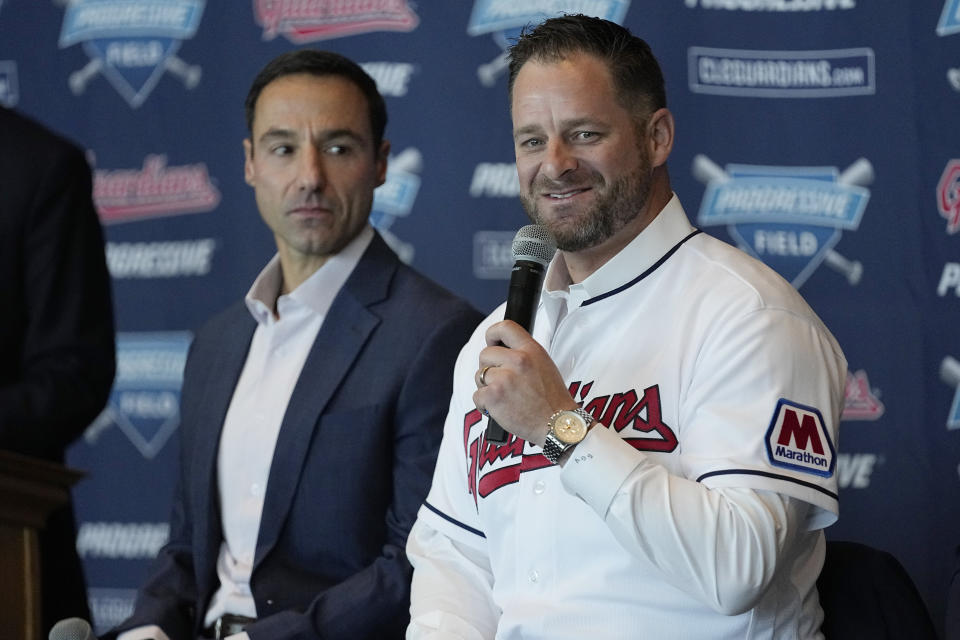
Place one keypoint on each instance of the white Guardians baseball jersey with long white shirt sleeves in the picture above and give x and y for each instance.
(695, 510)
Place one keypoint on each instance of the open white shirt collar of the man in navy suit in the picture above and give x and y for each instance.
(316, 292)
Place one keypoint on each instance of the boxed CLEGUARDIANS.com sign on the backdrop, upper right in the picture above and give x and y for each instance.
(782, 74)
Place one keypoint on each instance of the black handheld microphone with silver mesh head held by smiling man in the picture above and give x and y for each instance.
(533, 248)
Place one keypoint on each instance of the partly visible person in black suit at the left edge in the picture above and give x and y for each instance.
(56, 330)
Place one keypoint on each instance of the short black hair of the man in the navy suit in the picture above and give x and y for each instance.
(321, 63)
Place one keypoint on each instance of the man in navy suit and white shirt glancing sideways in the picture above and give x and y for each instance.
(311, 413)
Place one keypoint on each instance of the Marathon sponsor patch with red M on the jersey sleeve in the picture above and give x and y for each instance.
(797, 439)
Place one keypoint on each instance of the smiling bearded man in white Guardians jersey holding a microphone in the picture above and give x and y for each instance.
(673, 416)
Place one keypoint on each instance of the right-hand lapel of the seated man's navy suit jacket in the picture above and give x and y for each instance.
(345, 330)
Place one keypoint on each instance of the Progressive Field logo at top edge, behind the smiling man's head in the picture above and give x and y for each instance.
(504, 19)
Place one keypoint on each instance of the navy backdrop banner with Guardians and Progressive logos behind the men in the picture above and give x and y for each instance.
(818, 135)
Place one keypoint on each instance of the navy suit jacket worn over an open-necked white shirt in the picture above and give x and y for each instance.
(352, 465)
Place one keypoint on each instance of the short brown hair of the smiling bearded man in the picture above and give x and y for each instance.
(637, 77)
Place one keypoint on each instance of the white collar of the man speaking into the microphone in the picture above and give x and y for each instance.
(668, 228)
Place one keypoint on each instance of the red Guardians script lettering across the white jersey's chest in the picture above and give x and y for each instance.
(635, 415)
